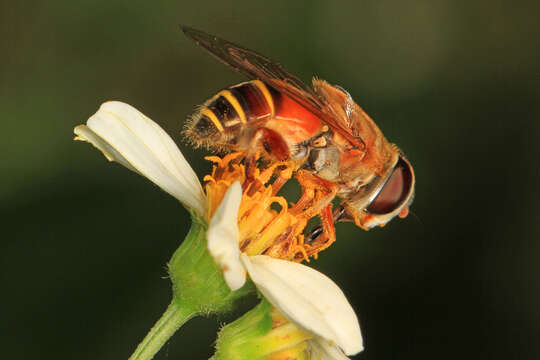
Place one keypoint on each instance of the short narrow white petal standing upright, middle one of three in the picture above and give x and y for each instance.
(223, 236)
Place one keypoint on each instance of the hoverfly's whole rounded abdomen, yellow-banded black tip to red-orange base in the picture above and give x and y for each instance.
(232, 118)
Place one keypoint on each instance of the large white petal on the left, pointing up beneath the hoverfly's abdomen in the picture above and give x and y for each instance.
(127, 136)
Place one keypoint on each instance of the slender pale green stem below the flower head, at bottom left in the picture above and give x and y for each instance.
(172, 319)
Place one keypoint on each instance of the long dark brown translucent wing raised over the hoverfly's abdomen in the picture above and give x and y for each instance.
(256, 66)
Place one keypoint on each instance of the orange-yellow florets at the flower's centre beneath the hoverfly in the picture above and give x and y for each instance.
(263, 229)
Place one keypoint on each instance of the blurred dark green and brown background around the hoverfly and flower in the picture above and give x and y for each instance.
(454, 83)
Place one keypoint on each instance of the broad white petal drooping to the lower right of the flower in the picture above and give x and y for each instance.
(308, 298)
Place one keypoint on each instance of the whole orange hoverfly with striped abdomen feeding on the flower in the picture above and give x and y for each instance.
(334, 147)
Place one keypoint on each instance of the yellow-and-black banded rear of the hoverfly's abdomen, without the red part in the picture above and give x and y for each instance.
(222, 118)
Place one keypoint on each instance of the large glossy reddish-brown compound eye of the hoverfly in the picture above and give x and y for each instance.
(395, 191)
